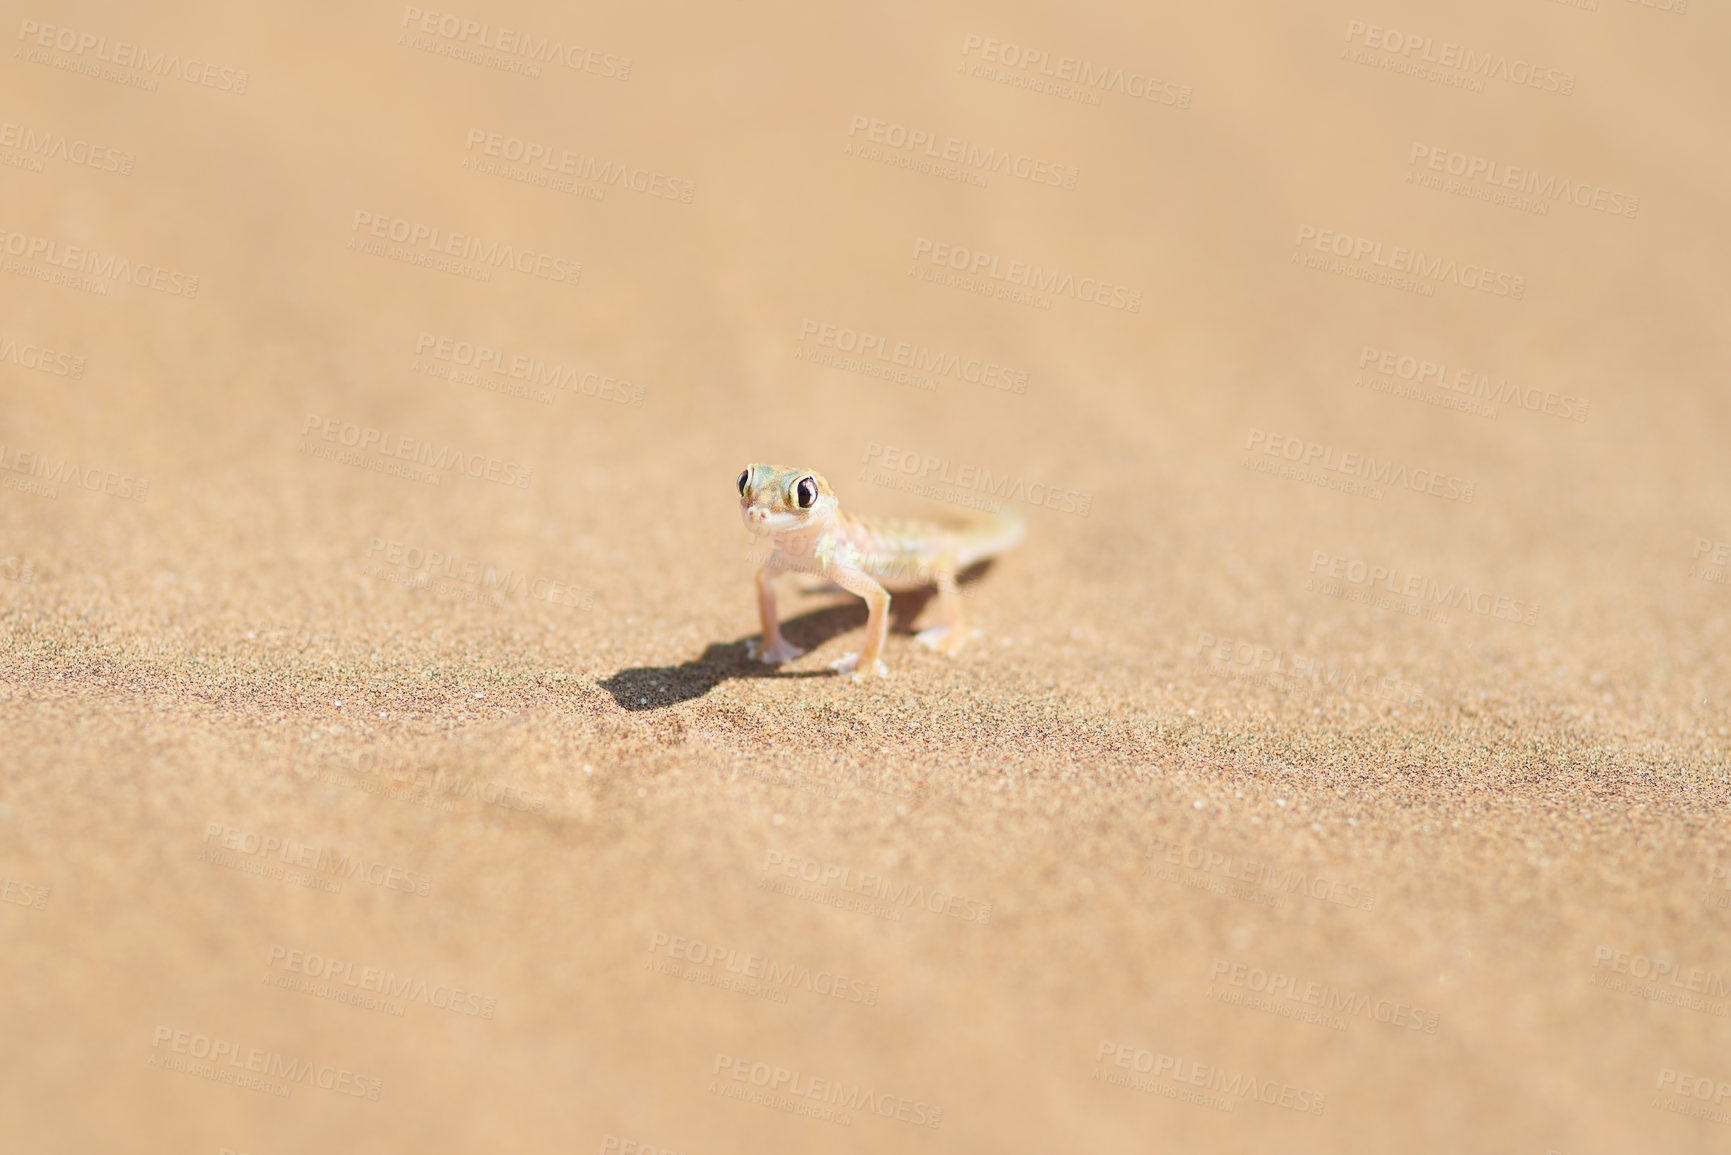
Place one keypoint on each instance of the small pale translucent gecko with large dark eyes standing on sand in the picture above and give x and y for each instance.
(813, 534)
